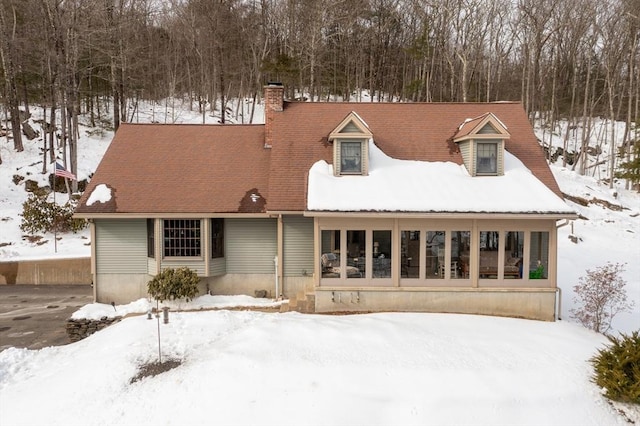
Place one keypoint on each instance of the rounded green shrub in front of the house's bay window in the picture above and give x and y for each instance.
(172, 284)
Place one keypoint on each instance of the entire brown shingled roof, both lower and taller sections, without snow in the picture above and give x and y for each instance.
(154, 168)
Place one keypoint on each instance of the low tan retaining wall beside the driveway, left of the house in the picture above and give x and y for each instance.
(47, 271)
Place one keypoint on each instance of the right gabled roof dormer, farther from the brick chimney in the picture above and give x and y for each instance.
(481, 142)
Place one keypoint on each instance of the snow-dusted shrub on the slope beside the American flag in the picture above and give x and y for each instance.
(39, 215)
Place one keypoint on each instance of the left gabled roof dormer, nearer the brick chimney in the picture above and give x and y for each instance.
(350, 146)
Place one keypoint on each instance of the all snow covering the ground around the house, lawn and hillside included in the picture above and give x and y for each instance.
(246, 367)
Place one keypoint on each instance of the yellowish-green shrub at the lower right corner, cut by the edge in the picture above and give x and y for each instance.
(617, 368)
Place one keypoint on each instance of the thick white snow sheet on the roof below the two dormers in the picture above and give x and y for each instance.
(420, 186)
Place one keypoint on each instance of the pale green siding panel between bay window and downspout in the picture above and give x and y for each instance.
(250, 246)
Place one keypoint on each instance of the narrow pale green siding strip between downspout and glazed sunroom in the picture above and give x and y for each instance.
(298, 245)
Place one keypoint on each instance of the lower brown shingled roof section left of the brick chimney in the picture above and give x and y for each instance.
(159, 168)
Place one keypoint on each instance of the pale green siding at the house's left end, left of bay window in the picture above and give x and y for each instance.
(121, 246)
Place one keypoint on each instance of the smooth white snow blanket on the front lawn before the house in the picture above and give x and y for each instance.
(243, 367)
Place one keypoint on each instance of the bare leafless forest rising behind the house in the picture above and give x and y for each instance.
(563, 59)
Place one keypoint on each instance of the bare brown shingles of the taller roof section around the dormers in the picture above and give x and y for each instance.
(409, 131)
